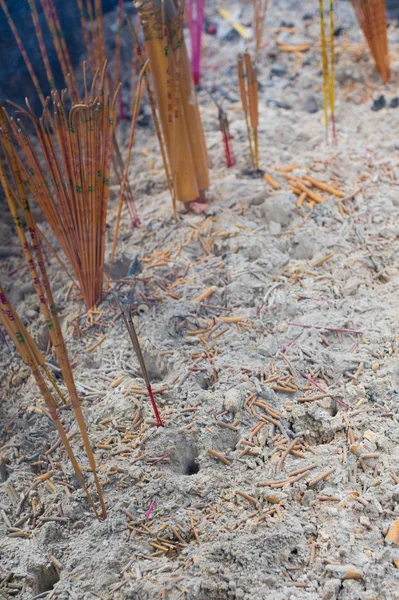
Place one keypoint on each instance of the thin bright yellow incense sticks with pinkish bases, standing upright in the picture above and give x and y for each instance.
(328, 68)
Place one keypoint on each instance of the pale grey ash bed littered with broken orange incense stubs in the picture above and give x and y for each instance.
(266, 525)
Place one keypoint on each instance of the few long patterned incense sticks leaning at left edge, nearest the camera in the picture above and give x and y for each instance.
(15, 193)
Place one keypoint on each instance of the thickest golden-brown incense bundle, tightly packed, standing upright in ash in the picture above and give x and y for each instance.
(176, 100)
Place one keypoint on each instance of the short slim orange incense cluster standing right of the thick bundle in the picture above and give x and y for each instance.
(248, 80)
